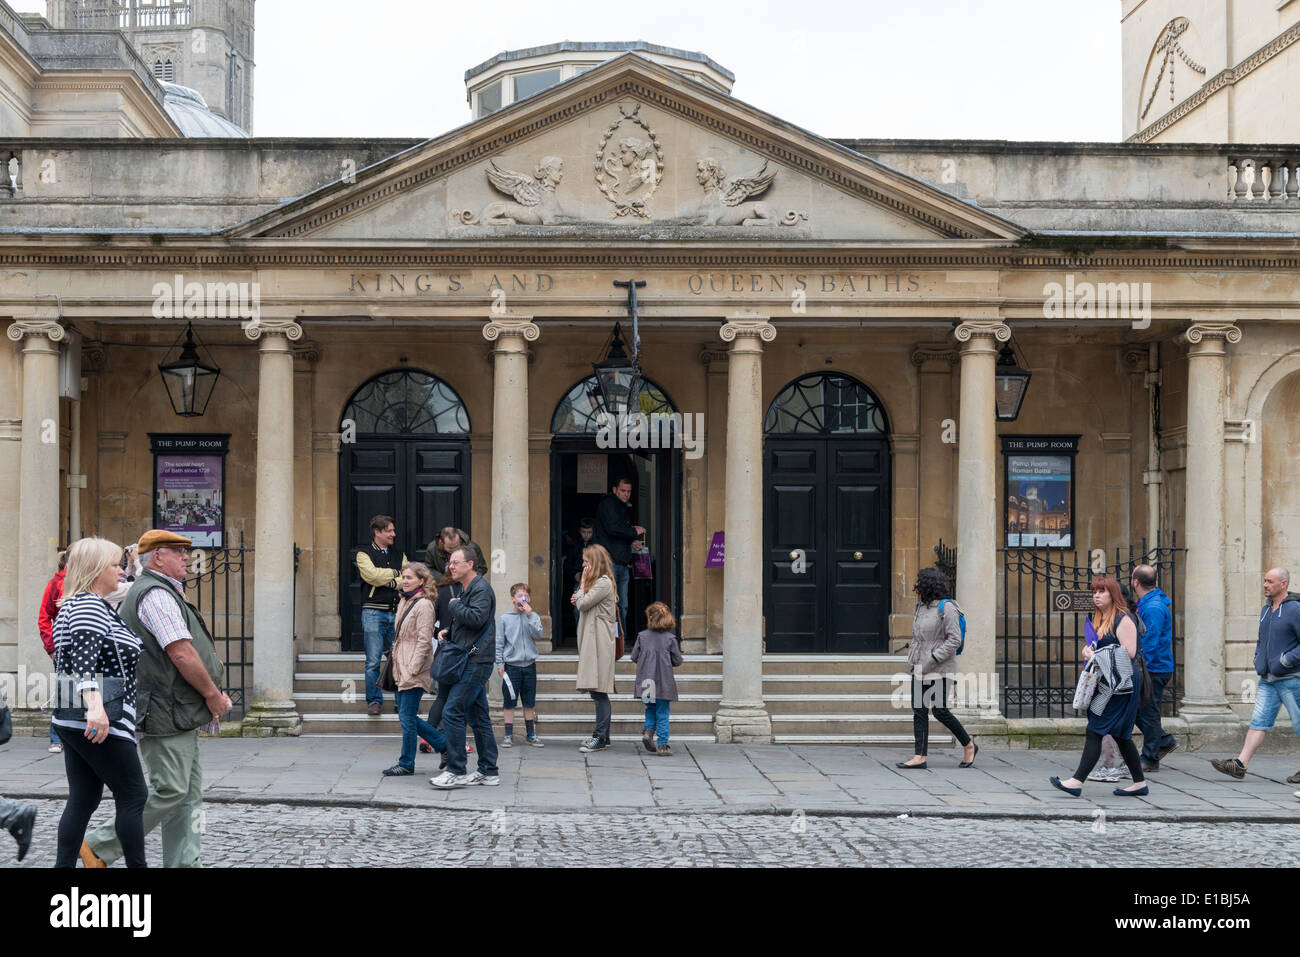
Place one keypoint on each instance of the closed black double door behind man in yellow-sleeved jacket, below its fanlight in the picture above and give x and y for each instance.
(422, 484)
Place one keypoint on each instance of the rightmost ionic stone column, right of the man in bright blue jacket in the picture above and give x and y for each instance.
(1204, 597)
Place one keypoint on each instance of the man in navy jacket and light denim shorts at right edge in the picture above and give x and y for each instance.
(1277, 662)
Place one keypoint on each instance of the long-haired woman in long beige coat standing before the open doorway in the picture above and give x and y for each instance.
(597, 633)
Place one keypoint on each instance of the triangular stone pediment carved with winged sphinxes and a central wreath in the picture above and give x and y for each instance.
(636, 151)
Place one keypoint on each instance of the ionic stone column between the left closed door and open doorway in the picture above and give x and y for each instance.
(508, 540)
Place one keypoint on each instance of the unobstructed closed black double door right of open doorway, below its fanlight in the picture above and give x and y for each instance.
(826, 517)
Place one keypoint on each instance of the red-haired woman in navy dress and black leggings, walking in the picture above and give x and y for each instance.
(1115, 707)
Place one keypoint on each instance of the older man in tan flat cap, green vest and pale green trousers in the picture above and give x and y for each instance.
(179, 692)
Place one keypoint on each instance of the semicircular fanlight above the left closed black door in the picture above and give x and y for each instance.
(406, 402)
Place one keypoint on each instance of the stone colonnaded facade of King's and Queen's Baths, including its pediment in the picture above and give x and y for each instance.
(428, 315)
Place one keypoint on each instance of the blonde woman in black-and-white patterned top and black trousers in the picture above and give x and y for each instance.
(92, 643)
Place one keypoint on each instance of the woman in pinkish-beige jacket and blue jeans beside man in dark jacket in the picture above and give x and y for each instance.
(413, 653)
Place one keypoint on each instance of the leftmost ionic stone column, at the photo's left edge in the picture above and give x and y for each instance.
(38, 487)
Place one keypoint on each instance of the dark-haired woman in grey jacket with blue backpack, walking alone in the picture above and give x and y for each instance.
(937, 636)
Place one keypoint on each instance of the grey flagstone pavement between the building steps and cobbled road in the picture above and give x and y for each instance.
(703, 778)
